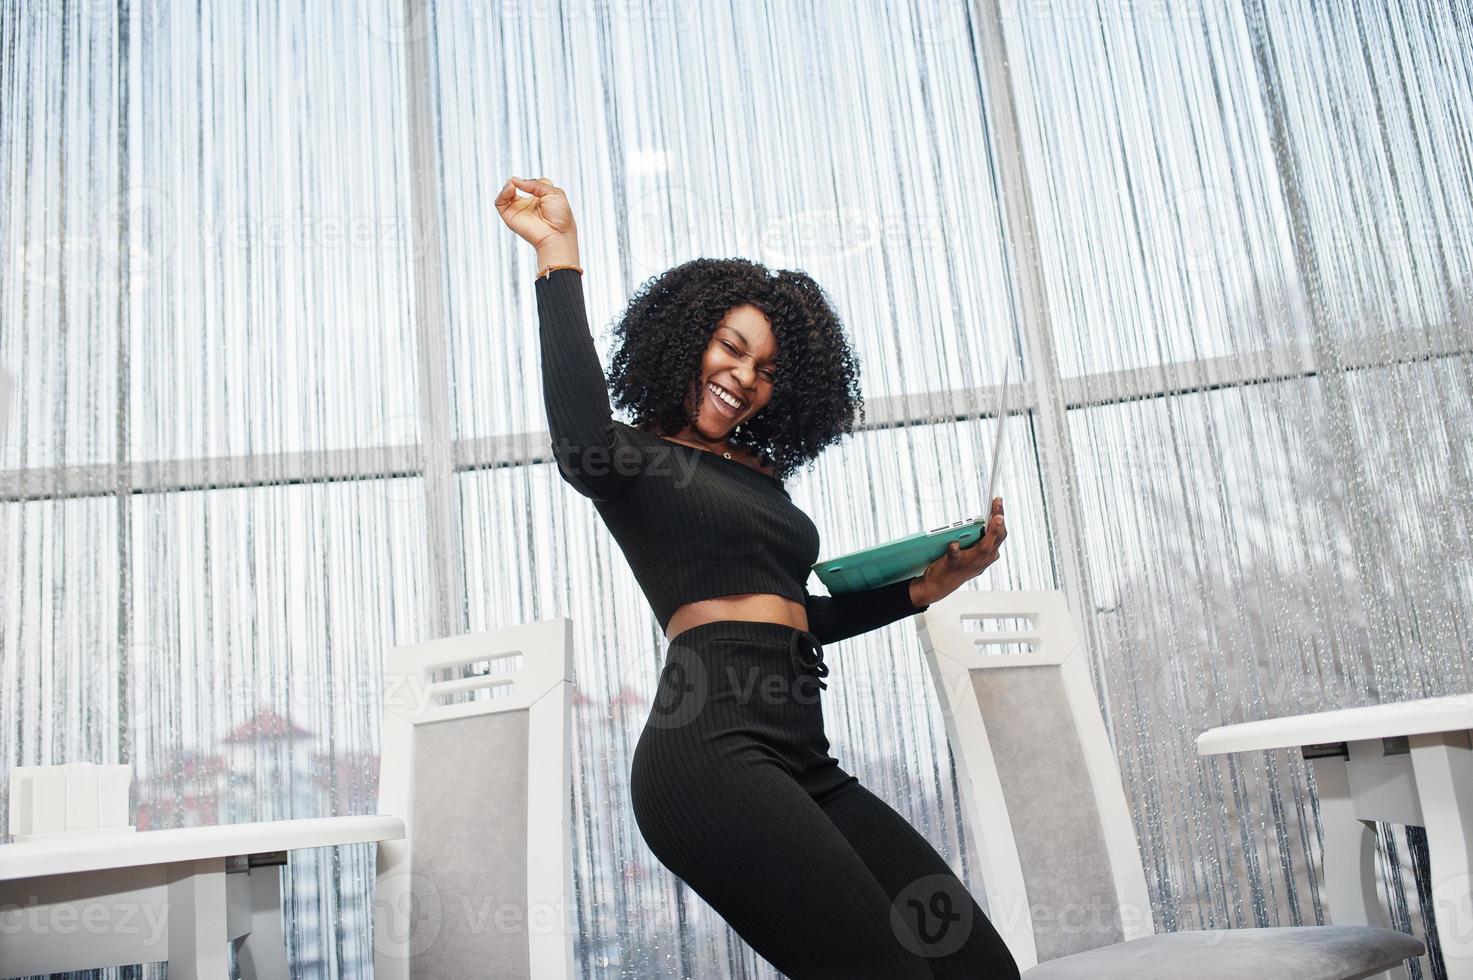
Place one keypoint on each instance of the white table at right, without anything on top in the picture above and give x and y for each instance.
(1405, 764)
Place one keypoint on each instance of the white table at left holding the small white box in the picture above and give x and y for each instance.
(179, 895)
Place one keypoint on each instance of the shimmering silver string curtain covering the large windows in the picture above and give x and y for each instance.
(276, 371)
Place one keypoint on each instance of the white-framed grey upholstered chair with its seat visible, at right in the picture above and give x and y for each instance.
(1048, 817)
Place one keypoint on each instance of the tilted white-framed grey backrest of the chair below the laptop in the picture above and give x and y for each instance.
(1041, 788)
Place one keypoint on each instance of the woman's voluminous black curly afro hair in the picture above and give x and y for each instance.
(669, 322)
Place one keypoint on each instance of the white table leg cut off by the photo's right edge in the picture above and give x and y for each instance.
(1444, 767)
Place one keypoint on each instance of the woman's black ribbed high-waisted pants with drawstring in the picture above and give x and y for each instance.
(736, 792)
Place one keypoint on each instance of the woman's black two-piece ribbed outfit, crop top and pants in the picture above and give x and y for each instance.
(733, 783)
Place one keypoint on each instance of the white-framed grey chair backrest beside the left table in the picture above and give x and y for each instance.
(482, 882)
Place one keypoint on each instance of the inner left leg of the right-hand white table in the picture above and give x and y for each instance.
(1350, 855)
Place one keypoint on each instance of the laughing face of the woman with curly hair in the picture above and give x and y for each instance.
(742, 359)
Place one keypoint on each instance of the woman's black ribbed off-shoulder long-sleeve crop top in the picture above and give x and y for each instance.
(692, 524)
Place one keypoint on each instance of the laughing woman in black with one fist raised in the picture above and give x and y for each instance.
(736, 377)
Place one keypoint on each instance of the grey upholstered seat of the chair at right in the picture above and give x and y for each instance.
(1303, 953)
